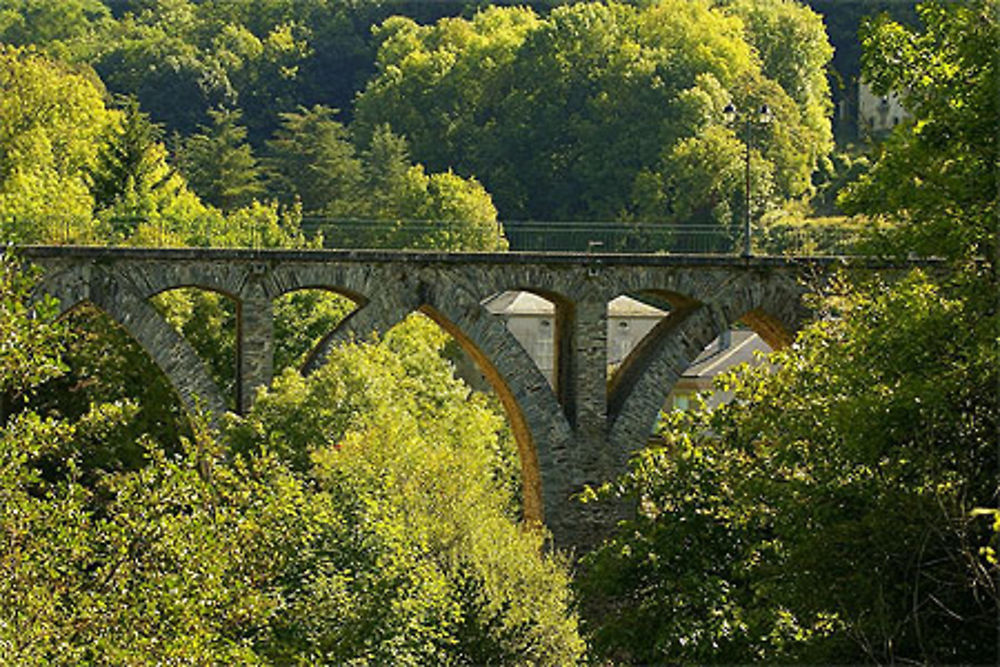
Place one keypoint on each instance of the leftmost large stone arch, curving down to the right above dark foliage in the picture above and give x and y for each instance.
(130, 309)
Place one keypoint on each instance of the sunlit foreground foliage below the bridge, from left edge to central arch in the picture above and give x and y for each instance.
(386, 541)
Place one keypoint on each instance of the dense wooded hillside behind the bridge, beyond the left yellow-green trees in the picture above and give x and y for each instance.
(563, 111)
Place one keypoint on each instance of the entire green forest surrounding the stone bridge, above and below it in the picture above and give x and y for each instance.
(843, 508)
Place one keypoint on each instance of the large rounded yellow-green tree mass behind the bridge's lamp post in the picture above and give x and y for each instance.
(600, 97)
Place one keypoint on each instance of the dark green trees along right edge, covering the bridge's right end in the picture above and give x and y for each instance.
(835, 508)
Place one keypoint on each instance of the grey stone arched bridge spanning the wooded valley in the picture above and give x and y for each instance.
(579, 432)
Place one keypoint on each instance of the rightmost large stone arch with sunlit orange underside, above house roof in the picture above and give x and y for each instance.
(771, 310)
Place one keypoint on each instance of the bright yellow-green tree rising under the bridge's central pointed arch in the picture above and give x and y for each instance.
(427, 566)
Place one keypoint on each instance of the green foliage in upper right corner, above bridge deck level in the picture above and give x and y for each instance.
(935, 177)
